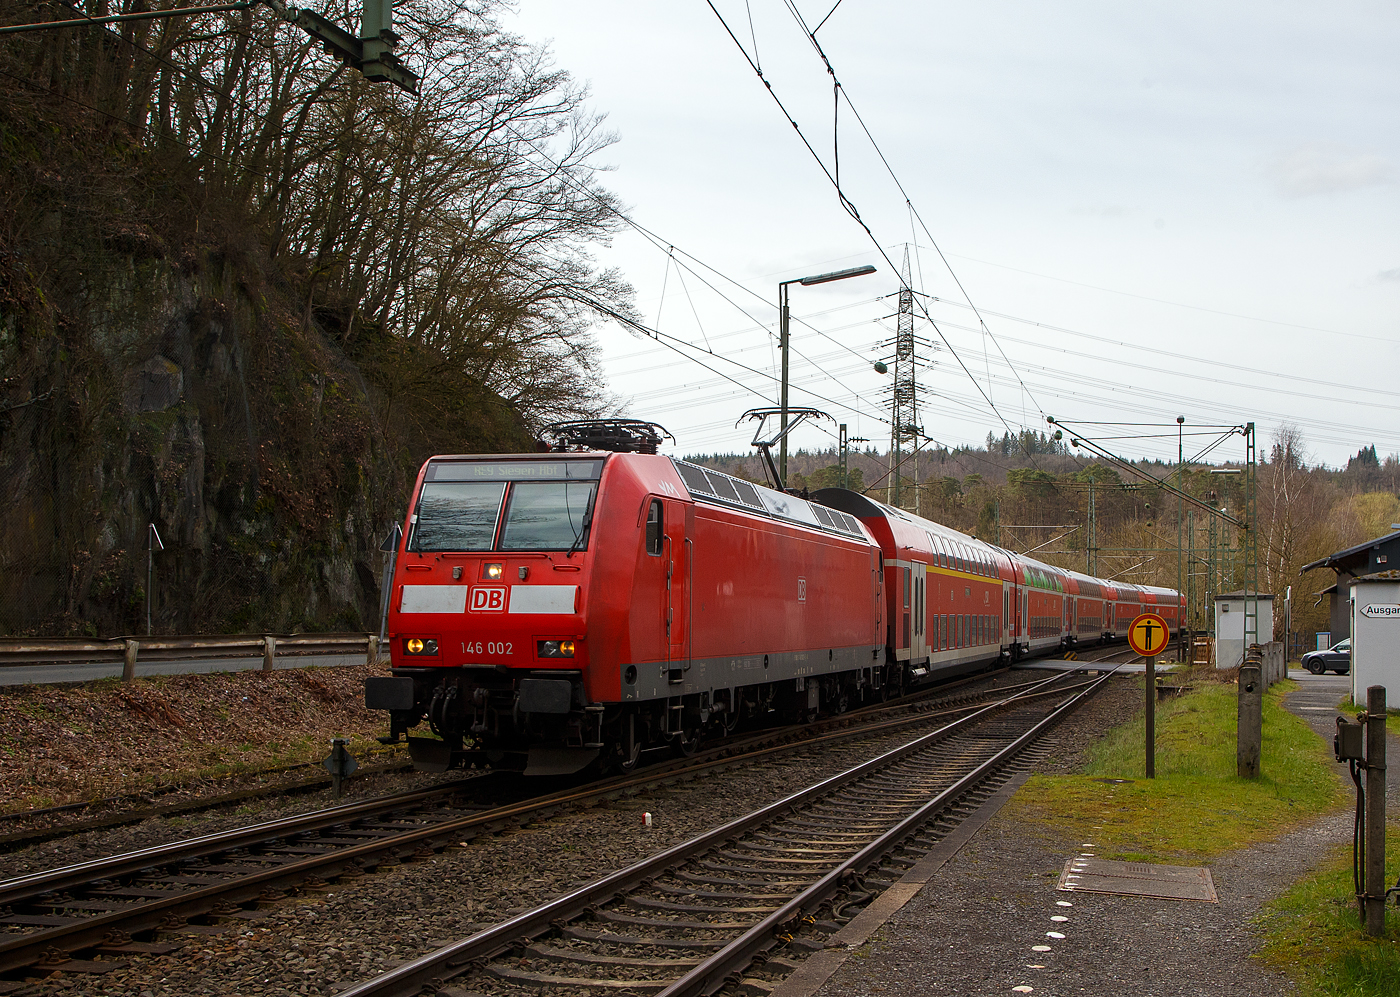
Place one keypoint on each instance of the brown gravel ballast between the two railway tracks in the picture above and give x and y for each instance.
(320, 943)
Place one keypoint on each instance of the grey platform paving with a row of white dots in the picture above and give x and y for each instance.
(992, 922)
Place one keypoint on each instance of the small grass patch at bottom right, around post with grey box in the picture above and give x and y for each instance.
(1314, 935)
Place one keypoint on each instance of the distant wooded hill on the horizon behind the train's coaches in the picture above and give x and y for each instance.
(1032, 495)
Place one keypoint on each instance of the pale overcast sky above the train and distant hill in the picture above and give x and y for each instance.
(1184, 211)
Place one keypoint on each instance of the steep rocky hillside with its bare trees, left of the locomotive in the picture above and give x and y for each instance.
(244, 293)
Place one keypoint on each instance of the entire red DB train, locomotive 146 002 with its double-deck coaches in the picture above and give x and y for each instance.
(552, 611)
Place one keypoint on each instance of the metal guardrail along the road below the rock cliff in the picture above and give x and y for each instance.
(79, 650)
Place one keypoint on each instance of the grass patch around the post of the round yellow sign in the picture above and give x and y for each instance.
(1196, 807)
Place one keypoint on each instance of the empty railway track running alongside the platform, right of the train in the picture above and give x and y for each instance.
(692, 919)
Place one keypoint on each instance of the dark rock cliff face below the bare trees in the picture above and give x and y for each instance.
(159, 368)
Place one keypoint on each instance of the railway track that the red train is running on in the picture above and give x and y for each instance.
(143, 902)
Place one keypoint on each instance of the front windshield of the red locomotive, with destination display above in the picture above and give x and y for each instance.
(460, 508)
